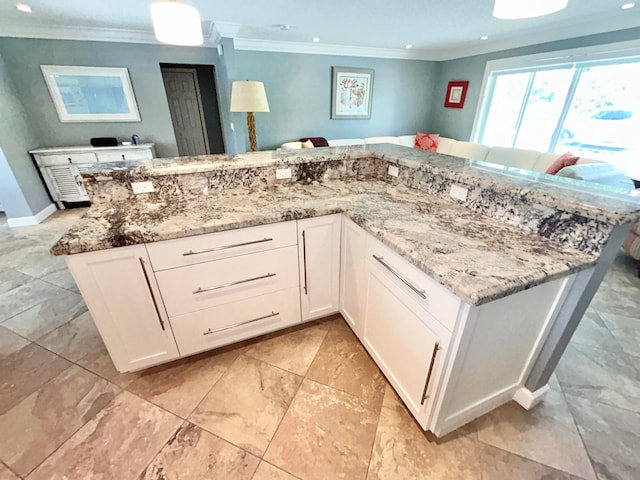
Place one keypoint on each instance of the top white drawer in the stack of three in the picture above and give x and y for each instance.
(214, 246)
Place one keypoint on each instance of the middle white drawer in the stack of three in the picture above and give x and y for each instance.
(196, 287)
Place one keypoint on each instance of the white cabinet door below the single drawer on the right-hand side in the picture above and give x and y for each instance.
(408, 345)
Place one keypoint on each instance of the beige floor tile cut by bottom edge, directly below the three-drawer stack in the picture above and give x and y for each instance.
(194, 454)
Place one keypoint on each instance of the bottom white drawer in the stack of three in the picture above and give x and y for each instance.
(232, 322)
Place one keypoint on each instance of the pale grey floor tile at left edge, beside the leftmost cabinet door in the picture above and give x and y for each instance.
(47, 315)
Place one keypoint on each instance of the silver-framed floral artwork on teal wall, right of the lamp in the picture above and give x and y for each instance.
(351, 93)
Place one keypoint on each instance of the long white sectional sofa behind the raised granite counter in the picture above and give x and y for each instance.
(586, 169)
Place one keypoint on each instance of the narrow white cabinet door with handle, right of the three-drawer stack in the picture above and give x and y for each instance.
(319, 259)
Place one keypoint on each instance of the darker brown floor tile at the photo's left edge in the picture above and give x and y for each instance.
(26, 370)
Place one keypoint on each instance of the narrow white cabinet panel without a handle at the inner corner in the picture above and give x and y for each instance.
(353, 281)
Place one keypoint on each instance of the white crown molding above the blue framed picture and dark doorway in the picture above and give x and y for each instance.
(212, 38)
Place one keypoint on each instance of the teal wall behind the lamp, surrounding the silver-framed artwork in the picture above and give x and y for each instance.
(298, 88)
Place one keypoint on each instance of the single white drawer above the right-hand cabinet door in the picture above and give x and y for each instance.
(433, 297)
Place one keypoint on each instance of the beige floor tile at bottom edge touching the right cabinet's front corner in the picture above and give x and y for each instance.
(402, 450)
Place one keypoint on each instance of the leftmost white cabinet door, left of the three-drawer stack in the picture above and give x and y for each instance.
(123, 298)
